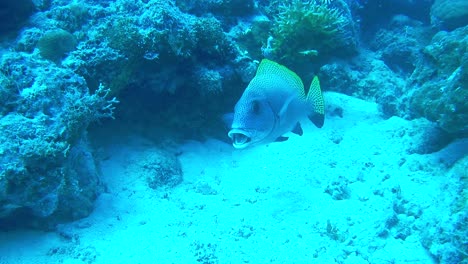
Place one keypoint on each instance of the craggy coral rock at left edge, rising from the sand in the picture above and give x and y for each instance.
(47, 171)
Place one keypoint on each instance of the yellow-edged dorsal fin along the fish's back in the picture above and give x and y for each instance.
(268, 67)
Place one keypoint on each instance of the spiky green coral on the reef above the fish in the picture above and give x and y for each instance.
(304, 29)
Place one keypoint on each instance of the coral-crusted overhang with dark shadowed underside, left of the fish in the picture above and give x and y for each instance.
(154, 48)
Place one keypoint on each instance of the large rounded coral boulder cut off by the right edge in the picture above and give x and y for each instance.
(442, 82)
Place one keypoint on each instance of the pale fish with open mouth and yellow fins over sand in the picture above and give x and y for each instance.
(273, 104)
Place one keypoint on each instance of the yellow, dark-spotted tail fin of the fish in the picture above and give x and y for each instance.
(315, 99)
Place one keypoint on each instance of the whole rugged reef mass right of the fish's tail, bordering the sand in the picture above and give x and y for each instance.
(411, 72)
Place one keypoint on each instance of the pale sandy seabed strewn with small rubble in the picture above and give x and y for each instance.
(346, 193)
